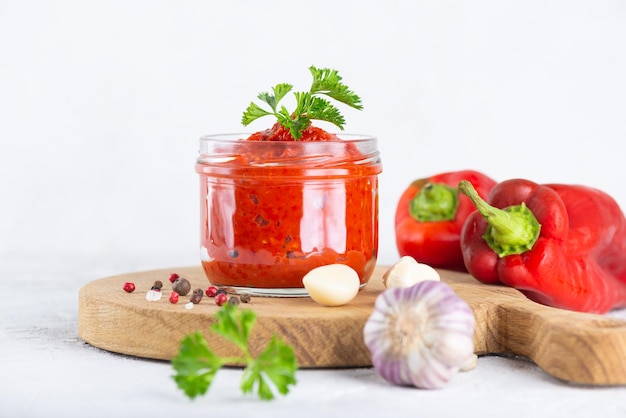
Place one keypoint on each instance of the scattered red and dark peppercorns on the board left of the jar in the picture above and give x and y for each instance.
(181, 287)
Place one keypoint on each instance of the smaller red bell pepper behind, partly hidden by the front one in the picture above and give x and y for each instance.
(430, 215)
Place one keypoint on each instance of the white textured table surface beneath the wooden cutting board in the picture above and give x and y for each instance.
(47, 371)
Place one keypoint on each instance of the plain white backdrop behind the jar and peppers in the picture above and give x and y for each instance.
(102, 103)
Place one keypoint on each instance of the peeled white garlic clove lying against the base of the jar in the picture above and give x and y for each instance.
(332, 285)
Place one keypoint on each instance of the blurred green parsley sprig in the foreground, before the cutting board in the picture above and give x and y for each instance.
(196, 365)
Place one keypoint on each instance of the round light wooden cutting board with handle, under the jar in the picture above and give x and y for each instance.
(576, 347)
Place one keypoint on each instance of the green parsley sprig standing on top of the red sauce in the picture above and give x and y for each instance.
(309, 105)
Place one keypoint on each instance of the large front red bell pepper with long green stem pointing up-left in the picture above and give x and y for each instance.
(561, 245)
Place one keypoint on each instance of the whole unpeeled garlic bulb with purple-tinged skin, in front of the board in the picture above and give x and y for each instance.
(421, 335)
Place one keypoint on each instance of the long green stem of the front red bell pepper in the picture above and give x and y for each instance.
(513, 230)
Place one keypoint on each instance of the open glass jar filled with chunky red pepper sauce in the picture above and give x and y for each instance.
(271, 211)
